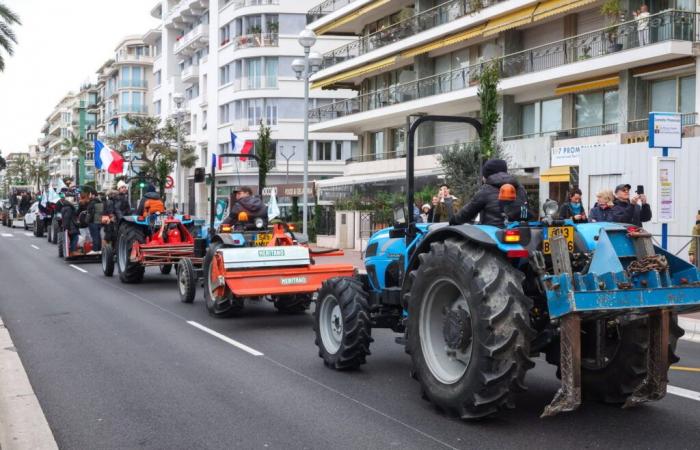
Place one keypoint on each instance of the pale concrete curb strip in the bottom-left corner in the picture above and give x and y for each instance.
(22, 421)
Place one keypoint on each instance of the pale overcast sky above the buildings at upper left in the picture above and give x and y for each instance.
(61, 44)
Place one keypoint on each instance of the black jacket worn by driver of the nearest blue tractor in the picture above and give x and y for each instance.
(486, 203)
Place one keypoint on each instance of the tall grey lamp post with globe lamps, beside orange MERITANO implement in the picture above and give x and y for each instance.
(304, 69)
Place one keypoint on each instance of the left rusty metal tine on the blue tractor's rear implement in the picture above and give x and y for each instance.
(568, 397)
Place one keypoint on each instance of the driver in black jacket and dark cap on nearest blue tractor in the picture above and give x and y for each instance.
(485, 202)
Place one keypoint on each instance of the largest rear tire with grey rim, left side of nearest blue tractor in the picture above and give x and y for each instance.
(468, 330)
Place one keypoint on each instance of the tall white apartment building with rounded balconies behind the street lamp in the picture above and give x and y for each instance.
(231, 60)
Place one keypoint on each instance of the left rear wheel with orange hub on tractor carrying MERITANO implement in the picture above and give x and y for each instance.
(218, 297)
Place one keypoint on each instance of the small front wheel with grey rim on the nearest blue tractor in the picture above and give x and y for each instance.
(342, 324)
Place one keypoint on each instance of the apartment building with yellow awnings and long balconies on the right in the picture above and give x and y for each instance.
(576, 85)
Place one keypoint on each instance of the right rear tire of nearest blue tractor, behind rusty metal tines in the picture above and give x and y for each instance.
(624, 365)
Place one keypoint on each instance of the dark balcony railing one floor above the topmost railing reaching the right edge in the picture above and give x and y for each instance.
(424, 20)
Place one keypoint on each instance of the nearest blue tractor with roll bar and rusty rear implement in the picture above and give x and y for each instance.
(476, 303)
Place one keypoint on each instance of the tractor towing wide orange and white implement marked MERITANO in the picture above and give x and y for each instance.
(254, 260)
